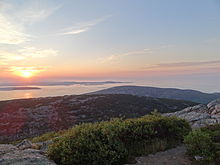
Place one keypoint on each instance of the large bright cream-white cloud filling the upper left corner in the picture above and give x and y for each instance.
(14, 20)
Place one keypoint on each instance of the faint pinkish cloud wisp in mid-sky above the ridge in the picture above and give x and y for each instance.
(131, 53)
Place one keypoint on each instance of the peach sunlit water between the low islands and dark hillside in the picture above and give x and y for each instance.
(54, 91)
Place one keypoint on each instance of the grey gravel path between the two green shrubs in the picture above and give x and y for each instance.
(175, 156)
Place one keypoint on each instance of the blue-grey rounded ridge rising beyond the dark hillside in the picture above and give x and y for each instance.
(169, 93)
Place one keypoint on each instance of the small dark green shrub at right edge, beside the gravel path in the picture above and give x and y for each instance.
(204, 142)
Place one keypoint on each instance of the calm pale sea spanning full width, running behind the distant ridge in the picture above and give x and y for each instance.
(81, 89)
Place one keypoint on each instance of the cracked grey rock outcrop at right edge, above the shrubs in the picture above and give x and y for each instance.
(200, 115)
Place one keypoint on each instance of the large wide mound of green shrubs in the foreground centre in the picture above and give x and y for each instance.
(116, 141)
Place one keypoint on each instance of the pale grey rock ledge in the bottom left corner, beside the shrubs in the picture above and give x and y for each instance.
(22, 154)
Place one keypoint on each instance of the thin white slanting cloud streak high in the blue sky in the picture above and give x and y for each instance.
(82, 26)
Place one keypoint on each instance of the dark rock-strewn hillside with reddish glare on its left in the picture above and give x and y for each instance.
(25, 118)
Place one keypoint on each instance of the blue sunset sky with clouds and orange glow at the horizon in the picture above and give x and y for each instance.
(171, 43)
